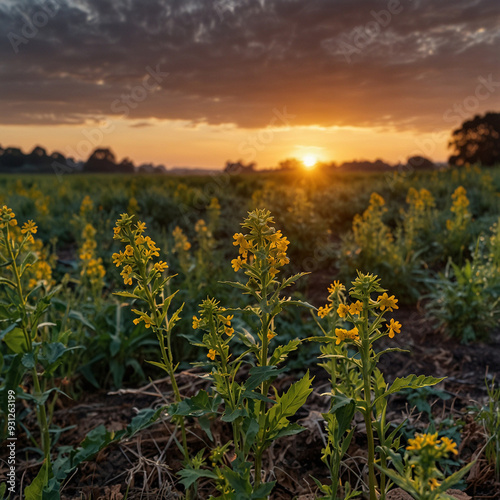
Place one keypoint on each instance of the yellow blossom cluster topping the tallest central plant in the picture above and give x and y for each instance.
(264, 241)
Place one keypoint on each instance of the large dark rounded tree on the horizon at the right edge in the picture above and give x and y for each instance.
(477, 141)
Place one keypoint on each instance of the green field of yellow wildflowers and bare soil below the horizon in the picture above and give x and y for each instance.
(196, 357)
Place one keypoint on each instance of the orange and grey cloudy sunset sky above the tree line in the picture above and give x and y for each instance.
(200, 82)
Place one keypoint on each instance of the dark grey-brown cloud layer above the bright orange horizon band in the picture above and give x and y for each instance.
(329, 62)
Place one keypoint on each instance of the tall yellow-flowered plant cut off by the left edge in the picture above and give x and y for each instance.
(35, 347)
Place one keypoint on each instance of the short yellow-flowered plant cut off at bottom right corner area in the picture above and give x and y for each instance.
(418, 472)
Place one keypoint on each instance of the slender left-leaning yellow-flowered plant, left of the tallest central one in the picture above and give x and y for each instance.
(142, 269)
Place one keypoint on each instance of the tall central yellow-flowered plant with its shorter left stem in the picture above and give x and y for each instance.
(256, 419)
